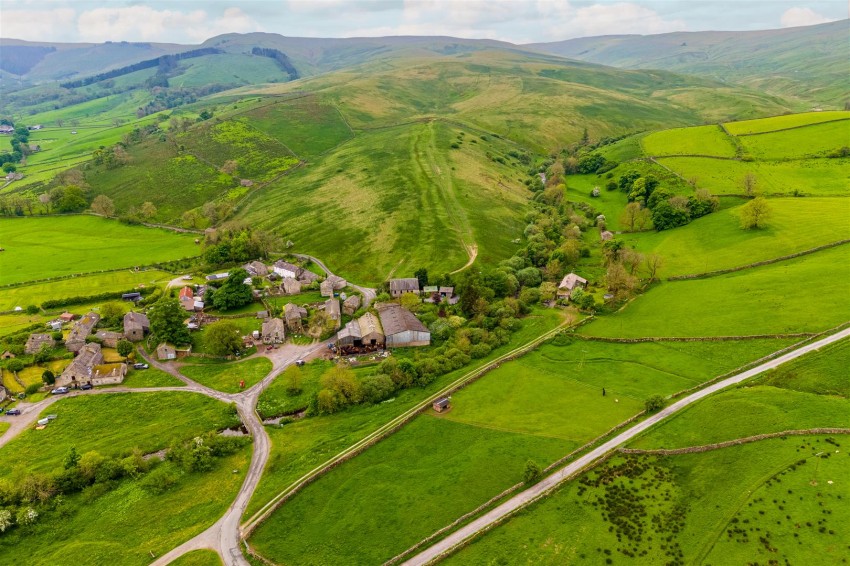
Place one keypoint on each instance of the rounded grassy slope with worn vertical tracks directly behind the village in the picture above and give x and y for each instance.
(395, 200)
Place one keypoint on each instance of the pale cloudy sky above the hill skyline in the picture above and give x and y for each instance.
(516, 21)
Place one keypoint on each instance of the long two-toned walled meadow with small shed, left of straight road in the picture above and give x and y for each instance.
(539, 407)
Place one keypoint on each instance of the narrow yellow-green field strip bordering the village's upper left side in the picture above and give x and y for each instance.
(81, 286)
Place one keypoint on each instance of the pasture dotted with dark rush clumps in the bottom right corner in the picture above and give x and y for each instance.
(656, 509)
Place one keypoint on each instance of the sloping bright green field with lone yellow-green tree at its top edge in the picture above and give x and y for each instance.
(717, 241)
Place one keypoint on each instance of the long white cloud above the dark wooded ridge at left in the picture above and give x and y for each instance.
(143, 23)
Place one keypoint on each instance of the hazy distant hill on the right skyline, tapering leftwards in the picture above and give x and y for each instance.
(810, 63)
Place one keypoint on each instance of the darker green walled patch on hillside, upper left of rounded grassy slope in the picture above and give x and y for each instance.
(305, 125)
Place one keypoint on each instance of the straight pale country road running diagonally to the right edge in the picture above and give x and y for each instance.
(487, 520)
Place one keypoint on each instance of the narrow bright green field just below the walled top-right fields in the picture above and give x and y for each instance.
(811, 177)
